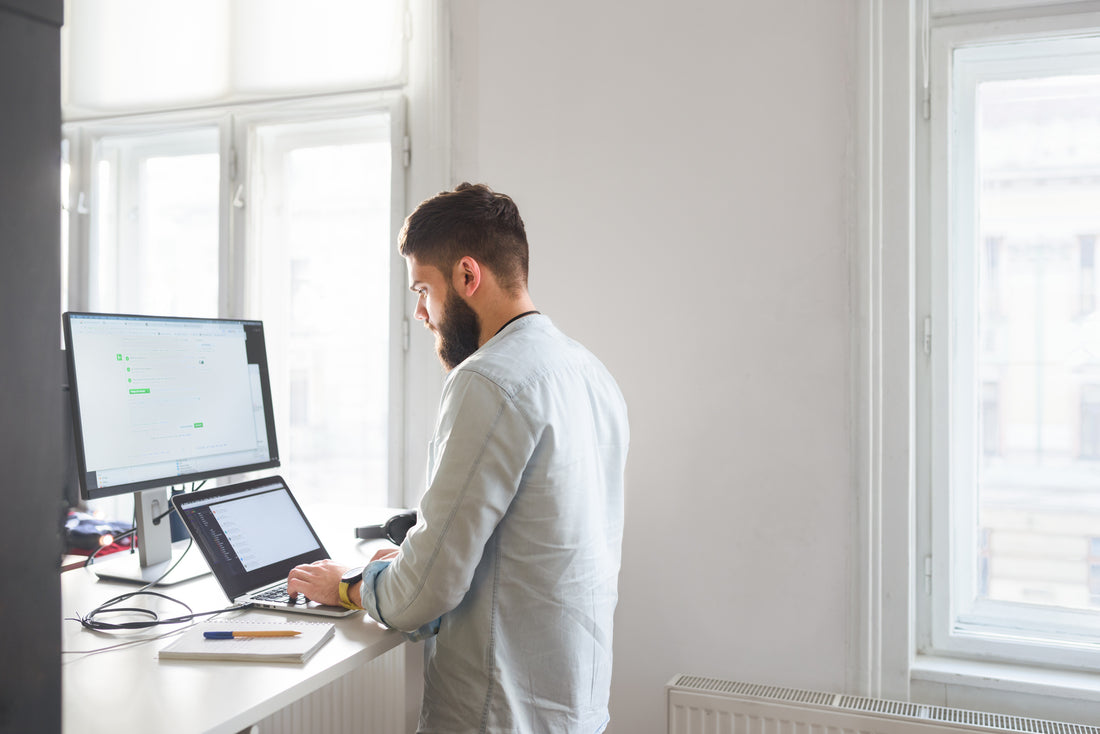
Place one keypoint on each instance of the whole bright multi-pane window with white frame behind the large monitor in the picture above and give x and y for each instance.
(260, 179)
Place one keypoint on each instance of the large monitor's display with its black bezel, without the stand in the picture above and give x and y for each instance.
(161, 401)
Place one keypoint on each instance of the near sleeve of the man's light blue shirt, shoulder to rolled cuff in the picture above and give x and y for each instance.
(481, 448)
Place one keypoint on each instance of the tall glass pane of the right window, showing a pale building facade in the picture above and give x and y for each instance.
(1039, 366)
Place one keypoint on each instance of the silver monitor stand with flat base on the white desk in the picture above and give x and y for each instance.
(157, 553)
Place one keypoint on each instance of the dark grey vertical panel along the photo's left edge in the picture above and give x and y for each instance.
(31, 408)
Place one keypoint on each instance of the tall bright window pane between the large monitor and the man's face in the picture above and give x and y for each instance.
(324, 244)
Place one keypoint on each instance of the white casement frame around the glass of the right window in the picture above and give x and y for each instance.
(945, 517)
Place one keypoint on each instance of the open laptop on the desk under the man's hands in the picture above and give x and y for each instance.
(252, 534)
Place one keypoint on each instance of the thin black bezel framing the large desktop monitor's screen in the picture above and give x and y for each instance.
(82, 468)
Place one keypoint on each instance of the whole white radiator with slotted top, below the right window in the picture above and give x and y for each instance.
(709, 706)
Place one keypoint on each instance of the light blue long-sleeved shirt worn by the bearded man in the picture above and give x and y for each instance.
(514, 562)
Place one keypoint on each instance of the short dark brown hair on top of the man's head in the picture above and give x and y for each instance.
(472, 221)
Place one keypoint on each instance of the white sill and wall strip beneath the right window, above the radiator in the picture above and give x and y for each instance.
(1009, 689)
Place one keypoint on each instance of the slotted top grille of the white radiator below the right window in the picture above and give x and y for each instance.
(916, 713)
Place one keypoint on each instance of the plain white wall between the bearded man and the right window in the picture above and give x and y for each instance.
(686, 173)
